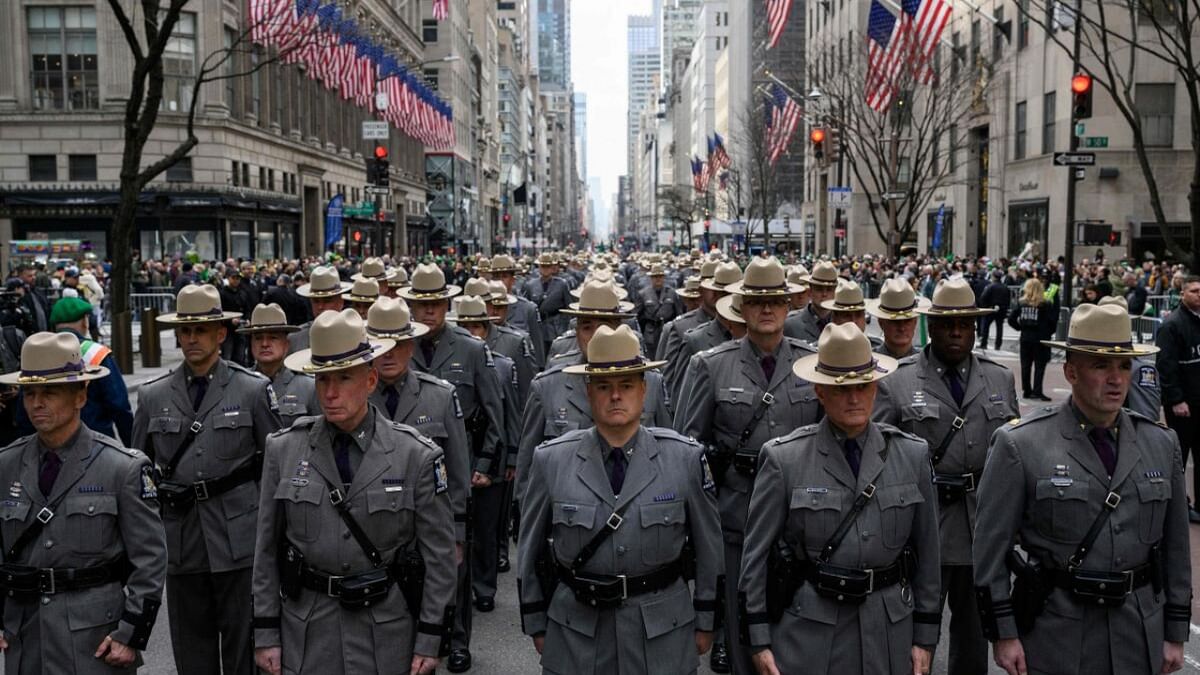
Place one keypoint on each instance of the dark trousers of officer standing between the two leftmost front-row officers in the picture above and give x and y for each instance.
(211, 623)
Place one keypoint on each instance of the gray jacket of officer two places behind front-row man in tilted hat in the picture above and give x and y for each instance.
(466, 362)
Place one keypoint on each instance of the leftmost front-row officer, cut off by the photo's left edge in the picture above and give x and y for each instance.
(85, 553)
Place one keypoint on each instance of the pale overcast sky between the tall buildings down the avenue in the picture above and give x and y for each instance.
(598, 68)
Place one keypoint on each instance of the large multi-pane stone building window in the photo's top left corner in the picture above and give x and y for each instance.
(63, 55)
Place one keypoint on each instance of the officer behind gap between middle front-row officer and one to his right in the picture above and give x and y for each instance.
(736, 398)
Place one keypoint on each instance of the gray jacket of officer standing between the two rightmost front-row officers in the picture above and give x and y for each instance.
(917, 399)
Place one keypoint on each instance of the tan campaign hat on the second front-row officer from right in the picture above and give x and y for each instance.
(844, 357)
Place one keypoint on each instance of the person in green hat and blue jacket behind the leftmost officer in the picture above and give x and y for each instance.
(107, 410)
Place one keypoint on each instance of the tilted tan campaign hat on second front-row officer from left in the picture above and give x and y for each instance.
(339, 341)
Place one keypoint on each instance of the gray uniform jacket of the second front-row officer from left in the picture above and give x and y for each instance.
(399, 498)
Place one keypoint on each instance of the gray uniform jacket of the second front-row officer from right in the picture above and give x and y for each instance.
(805, 489)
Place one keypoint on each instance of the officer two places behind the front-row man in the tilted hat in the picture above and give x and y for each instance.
(455, 356)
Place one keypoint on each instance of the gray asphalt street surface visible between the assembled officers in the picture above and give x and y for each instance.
(500, 648)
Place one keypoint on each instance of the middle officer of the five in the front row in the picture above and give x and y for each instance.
(610, 510)
